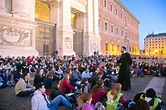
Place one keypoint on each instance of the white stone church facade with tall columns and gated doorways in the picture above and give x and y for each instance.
(39, 27)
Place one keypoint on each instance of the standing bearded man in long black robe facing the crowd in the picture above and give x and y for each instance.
(124, 72)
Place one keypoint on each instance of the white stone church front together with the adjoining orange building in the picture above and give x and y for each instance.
(39, 27)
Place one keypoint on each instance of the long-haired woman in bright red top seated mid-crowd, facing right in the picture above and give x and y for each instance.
(65, 85)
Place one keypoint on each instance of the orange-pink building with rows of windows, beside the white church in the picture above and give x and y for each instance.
(118, 26)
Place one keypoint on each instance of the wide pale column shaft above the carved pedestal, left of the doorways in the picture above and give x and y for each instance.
(24, 8)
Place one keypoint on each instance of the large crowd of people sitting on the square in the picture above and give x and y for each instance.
(79, 82)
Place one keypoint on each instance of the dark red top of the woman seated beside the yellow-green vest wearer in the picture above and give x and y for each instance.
(97, 95)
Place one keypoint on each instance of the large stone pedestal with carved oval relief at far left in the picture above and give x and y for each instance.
(17, 37)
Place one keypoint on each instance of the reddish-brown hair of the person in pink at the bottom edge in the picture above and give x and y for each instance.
(83, 98)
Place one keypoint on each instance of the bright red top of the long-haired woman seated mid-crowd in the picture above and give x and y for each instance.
(66, 85)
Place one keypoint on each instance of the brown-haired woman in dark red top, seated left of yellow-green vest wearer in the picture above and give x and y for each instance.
(98, 92)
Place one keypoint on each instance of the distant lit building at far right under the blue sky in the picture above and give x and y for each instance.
(155, 44)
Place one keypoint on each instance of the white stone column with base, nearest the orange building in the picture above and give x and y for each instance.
(91, 36)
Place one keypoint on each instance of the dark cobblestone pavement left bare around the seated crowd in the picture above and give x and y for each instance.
(8, 100)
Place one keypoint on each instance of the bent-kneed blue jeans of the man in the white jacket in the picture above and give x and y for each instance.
(59, 99)
